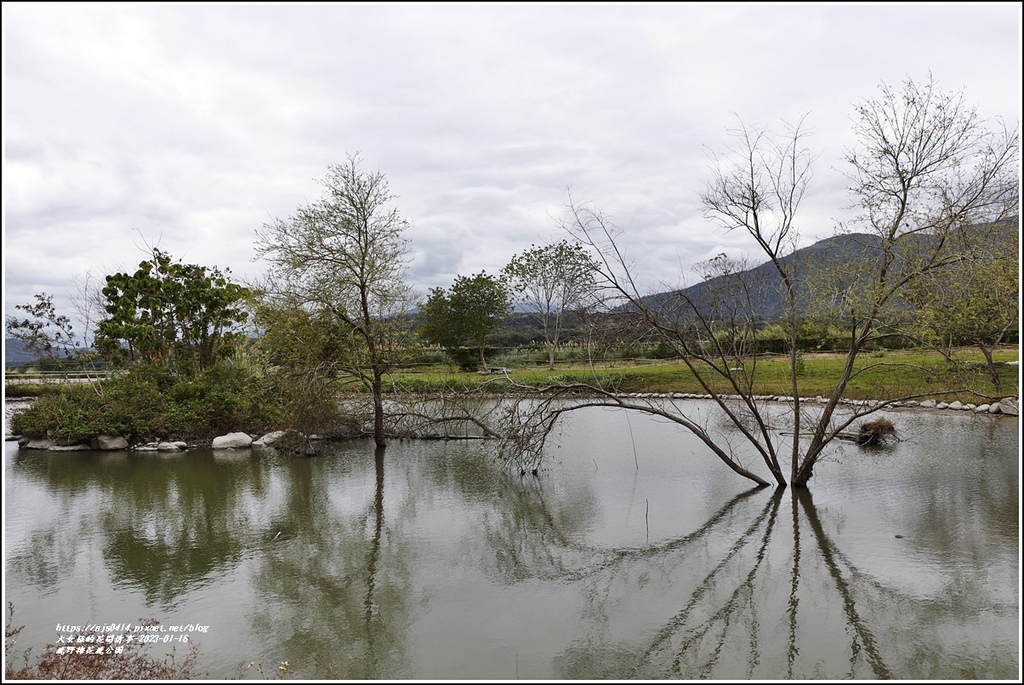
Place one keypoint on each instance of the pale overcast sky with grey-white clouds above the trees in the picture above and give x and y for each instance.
(189, 127)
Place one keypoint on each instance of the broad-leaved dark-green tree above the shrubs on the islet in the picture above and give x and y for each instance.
(170, 314)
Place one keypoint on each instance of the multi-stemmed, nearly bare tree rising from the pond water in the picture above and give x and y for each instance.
(925, 169)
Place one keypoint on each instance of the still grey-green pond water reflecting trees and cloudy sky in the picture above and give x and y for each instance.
(633, 554)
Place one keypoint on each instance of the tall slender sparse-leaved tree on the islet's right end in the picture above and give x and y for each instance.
(345, 256)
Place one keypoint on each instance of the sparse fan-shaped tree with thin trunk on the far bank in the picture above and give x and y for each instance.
(553, 280)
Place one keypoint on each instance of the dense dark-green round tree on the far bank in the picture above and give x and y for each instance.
(466, 316)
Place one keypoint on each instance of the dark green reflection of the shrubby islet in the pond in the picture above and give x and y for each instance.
(165, 523)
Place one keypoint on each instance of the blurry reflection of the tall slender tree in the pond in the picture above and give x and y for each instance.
(332, 602)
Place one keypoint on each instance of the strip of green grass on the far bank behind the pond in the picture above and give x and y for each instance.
(880, 375)
